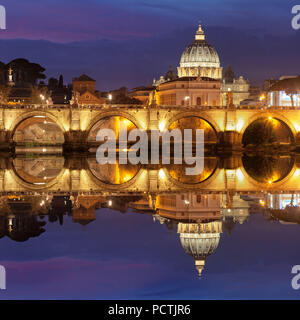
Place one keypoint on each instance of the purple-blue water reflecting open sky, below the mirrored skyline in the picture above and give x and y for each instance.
(130, 257)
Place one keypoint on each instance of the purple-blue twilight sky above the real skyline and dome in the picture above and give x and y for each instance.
(128, 42)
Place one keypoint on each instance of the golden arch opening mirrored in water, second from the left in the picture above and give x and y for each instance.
(114, 174)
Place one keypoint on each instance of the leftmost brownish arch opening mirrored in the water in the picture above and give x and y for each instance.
(38, 171)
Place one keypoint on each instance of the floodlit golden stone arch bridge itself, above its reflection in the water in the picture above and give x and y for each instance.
(76, 122)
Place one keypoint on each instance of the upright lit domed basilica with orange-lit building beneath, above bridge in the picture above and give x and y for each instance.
(199, 74)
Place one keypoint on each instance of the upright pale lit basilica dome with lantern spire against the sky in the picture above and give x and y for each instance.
(200, 59)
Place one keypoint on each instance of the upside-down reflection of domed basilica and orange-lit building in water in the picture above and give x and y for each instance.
(199, 222)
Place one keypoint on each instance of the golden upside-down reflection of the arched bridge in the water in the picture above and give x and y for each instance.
(54, 174)
